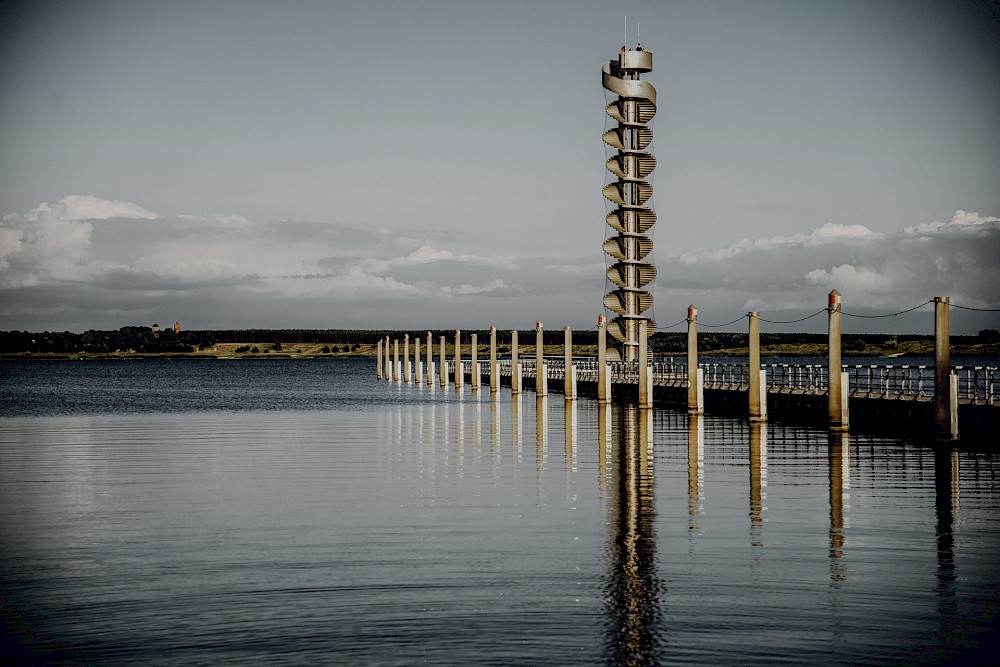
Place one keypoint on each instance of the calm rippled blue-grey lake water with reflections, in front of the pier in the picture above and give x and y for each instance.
(302, 512)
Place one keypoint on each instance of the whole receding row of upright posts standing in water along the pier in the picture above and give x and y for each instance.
(391, 368)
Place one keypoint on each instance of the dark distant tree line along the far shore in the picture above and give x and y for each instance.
(145, 340)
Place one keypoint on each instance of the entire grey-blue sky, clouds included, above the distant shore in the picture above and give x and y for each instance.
(414, 165)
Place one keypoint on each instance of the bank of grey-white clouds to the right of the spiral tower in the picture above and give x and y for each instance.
(876, 273)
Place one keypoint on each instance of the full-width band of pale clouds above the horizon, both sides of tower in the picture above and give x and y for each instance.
(218, 270)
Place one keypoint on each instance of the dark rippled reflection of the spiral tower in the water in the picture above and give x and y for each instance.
(633, 590)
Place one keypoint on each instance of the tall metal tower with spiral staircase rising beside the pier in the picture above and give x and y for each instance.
(628, 191)
